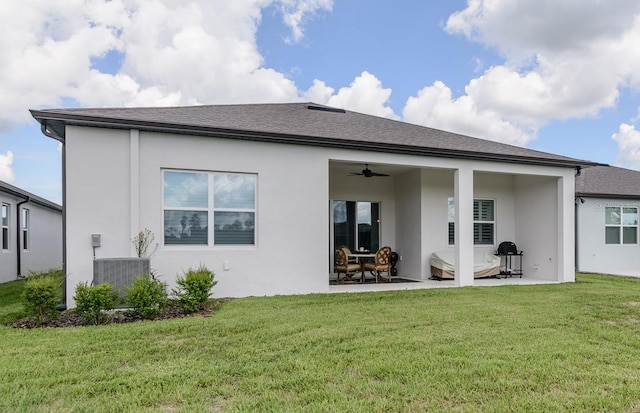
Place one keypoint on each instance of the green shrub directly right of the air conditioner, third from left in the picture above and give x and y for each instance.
(147, 296)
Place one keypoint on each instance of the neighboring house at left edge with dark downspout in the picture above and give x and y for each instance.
(31, 233)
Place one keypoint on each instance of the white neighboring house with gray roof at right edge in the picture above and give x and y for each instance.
(607, 208)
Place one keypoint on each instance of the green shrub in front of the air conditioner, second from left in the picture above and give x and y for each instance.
(92, 301)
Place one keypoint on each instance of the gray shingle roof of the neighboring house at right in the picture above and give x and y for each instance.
(609, 182)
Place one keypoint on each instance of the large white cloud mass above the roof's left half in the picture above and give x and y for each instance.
(172, 53)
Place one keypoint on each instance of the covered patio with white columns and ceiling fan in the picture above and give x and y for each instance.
(463, 207)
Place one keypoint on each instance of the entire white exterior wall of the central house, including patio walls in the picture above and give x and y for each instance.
(114, 188)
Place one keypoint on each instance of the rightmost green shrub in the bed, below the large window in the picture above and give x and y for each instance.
(194, 288)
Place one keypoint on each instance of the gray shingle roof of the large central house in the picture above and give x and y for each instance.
(299, 123)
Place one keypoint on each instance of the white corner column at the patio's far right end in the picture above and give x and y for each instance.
(566, 229)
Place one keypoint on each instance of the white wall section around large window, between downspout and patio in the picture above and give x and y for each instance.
(290, 255)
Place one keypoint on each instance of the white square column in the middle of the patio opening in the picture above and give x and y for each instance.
(463, 187)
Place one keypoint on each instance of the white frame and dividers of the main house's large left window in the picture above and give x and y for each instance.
(211, 209)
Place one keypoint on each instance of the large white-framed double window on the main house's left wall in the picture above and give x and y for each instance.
(197, 201)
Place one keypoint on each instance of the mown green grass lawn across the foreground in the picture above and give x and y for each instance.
(548, 348)
